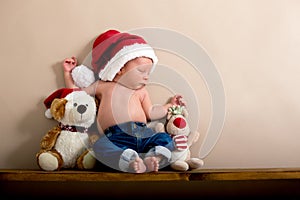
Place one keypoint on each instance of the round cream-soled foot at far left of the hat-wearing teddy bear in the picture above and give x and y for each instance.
(49, 161)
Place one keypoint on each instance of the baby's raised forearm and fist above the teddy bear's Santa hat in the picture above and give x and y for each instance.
(68, 65)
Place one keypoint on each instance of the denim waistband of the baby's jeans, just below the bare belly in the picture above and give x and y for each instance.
(126, 127)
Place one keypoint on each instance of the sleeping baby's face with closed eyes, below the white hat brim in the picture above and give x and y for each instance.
(135, 73)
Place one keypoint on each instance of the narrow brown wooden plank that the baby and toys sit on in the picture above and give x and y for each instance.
(199, 175)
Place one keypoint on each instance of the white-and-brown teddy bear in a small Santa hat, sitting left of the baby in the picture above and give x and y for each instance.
(67, 145)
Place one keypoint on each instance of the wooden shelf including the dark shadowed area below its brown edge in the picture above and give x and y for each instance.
(202, 183)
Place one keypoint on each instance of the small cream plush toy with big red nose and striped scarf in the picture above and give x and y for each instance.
(177, 126)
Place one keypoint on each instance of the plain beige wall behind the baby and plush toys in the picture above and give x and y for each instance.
(254, 45)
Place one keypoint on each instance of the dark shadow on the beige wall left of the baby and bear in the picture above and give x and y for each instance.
(35, 125)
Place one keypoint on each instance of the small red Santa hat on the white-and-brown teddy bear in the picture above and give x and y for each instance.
(60, 93)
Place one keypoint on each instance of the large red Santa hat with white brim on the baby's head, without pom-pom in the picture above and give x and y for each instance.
(113, 49)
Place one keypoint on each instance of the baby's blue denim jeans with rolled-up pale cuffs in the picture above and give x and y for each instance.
(122, 143)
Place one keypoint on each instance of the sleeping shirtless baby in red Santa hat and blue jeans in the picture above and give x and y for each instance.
(123, 63)
